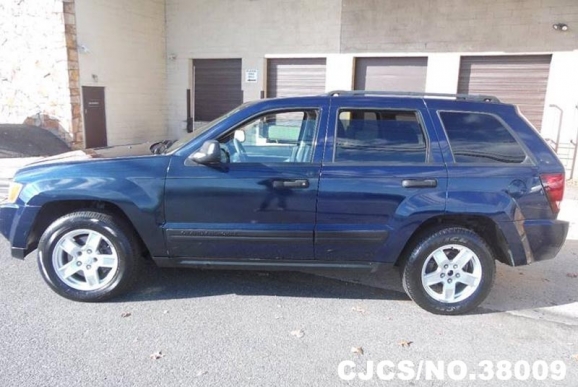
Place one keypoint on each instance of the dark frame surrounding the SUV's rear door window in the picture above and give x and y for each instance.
(420, 121)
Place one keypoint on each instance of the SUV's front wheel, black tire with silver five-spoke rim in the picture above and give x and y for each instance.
(89, 256)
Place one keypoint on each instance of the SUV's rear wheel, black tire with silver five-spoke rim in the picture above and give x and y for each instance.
(451, 258)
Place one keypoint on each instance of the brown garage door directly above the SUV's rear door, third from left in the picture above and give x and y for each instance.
(391, 74)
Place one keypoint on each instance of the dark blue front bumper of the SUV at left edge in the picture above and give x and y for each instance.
(16, 222)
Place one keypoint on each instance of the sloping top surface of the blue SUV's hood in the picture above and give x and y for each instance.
(98, 153)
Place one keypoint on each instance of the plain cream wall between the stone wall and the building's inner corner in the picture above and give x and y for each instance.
(126, 55)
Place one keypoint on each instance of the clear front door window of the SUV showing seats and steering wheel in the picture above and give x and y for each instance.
(274, 137)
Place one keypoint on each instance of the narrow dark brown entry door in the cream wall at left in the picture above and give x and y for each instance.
(94, 116)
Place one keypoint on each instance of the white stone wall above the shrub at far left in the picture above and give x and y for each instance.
(34, 76)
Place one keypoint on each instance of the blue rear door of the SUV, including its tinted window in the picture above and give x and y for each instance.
(382, 174)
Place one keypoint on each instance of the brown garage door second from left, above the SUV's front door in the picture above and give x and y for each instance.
(290, 77)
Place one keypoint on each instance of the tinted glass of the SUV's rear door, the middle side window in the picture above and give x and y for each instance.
(379, 136)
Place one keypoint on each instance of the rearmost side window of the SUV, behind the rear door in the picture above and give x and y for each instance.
(480, 138)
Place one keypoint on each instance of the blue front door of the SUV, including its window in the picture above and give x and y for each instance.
(259, 202)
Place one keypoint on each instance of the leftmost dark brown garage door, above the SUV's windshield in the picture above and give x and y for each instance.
(217, 85)
